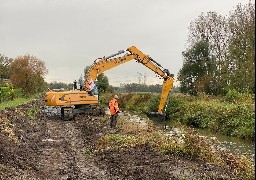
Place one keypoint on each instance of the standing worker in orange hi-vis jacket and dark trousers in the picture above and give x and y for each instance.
(114, 110)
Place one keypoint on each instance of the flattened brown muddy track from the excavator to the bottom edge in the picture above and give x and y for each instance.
(63, 155)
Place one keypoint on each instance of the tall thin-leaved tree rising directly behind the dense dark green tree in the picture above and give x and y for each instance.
(212, 28)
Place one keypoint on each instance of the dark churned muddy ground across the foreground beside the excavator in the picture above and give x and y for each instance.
(50, 148)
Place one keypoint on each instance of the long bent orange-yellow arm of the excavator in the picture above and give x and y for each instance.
(132, 53)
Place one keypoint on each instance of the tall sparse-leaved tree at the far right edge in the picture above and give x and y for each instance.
(241, 49)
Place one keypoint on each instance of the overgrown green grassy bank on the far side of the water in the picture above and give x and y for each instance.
(230, 115)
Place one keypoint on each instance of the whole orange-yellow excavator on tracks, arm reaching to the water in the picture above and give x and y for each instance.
(87, 100)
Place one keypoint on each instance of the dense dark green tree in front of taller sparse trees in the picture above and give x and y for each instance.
(197, 69)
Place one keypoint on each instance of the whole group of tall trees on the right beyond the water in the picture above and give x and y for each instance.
(220, 54)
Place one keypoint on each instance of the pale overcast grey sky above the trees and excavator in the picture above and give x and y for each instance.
(70, 34)
